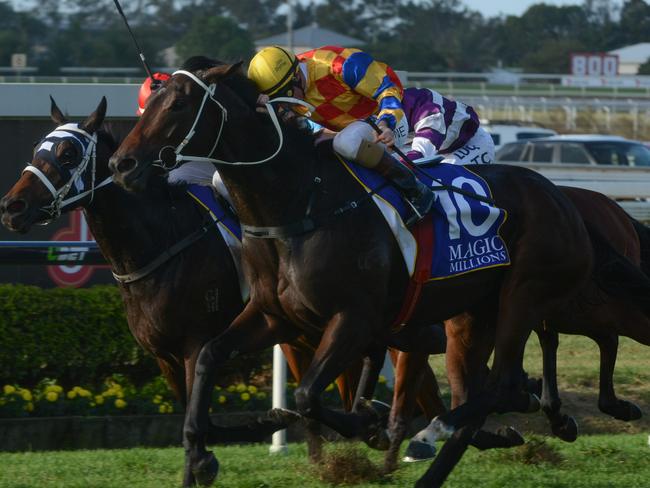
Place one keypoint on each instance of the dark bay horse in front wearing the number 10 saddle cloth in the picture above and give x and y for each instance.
(331, 264)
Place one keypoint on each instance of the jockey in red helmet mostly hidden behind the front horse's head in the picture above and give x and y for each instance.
(199, 172)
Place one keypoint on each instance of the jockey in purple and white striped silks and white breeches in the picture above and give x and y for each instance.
(442, 127)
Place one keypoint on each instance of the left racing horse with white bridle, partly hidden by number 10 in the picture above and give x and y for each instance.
(130, 242)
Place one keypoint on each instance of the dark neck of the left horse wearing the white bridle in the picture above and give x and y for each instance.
(132, 230)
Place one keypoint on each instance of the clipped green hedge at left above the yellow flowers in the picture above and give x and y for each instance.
(78, 336)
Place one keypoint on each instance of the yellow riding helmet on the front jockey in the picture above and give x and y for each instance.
(272, 69)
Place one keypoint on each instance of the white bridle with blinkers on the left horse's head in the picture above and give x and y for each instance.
(46, 150)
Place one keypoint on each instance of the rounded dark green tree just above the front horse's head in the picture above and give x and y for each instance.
(216, 37)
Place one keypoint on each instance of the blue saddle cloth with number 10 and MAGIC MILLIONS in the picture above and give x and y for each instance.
(459, 236)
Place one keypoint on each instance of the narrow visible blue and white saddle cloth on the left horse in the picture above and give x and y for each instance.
(228, 226)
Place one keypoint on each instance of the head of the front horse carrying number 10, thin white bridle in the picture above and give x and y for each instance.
(187, 119)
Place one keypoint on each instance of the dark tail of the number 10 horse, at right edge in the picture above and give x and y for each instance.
(618, 276)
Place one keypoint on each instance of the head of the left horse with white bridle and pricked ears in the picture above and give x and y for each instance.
(62, 172)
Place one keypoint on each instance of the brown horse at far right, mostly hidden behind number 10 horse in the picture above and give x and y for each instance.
(602, 316)
